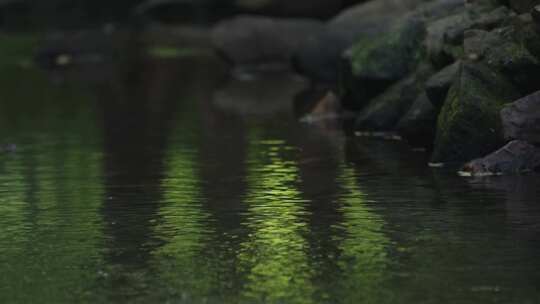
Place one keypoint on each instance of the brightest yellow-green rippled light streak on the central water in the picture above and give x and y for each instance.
(274, 257)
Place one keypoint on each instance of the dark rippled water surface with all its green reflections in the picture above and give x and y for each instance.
(162, 184)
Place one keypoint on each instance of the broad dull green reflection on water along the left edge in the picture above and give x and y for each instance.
(51, 190)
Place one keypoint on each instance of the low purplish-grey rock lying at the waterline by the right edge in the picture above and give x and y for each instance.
(516, 157)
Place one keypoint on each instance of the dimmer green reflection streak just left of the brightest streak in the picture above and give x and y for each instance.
(184, 227)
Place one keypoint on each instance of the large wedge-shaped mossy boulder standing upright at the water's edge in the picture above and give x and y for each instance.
(469, 125)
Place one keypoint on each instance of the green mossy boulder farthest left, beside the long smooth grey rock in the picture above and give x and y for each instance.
(371, 66)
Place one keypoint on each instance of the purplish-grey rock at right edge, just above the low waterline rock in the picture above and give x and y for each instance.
(521, 119)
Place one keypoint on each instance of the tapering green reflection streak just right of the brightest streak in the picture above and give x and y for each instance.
(364, 259)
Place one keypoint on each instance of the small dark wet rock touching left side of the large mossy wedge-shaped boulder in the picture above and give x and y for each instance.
(417, 126)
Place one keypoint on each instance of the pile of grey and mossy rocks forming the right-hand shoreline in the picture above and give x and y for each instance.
(457, 78)
